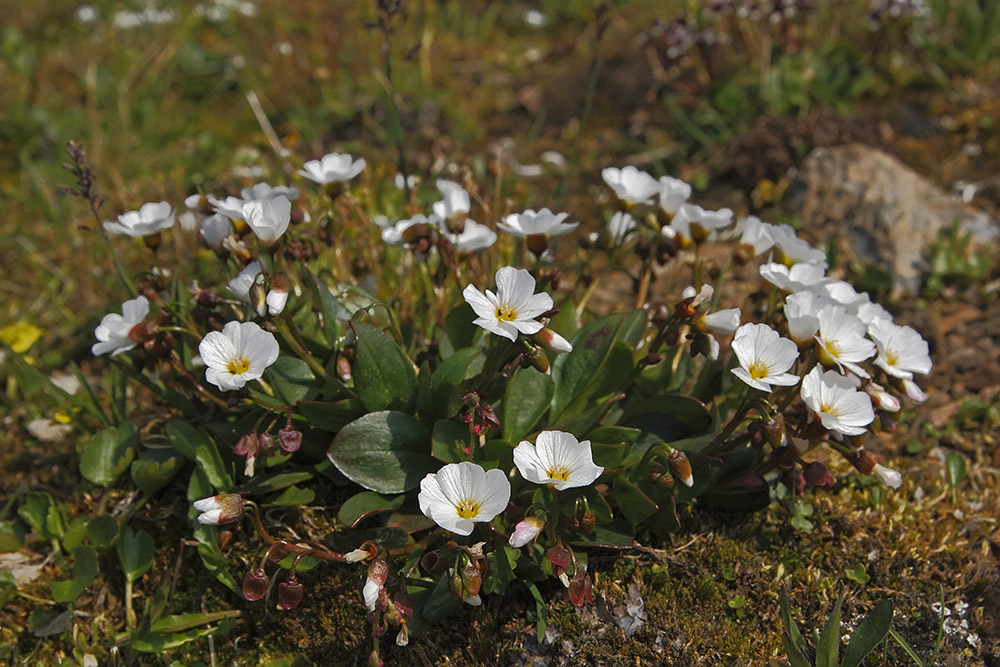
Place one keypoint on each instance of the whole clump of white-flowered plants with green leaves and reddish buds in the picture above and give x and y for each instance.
(494, 429)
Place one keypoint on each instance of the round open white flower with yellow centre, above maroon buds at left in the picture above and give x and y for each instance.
(237, 354)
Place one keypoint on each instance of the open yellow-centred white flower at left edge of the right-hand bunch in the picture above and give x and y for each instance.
(764, 357)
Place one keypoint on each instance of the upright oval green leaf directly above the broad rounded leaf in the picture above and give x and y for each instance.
(384, 378)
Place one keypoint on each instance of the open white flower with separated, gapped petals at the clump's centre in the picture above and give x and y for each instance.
(513, 308)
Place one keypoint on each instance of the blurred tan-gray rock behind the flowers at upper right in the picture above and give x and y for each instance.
(880, 211)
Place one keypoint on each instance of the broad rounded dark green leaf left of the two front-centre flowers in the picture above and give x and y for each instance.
(387, 452)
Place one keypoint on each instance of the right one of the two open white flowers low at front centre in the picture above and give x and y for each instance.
(557, 458)
